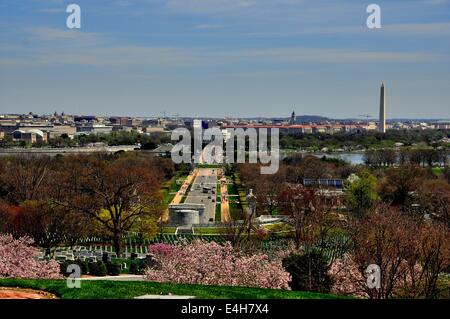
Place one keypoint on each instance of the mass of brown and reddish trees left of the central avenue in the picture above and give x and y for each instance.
(64, 198)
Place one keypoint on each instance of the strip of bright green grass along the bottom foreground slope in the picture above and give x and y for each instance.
(128, 290)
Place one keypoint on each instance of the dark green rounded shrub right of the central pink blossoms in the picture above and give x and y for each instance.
(309, 272)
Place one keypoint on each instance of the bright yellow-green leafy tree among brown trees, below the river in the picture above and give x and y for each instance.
(361, 195)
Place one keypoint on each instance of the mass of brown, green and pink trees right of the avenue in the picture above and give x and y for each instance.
(394, 217)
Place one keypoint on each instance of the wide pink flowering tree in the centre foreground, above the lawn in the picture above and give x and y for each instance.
(213, 264)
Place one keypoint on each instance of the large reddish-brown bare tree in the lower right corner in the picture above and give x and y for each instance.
(410, 253)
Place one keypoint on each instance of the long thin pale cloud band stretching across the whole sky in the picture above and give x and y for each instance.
(116, 56)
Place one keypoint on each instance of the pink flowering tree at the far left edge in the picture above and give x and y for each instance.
(18, 260)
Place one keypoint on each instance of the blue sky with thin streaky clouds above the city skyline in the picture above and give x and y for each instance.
(216, 58)
